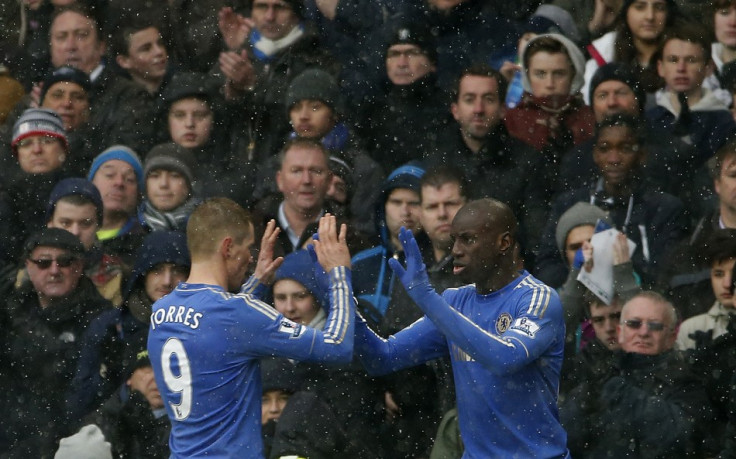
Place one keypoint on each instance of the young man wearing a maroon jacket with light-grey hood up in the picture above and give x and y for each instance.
(551, 116)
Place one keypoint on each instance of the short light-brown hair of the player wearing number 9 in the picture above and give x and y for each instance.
(214, 220)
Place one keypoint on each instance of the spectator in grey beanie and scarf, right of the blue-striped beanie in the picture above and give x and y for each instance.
(169, 198)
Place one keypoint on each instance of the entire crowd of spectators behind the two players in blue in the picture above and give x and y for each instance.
(607, 127)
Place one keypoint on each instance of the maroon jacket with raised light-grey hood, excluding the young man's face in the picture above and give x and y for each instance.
(554, 123)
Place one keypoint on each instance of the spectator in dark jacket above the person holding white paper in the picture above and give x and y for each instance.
(653, 220)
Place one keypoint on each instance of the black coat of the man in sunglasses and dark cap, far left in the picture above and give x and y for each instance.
(40, 350)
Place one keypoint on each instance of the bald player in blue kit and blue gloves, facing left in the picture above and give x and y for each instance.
(504, 333)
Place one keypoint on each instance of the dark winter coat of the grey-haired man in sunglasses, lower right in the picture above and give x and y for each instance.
(646, 406)
